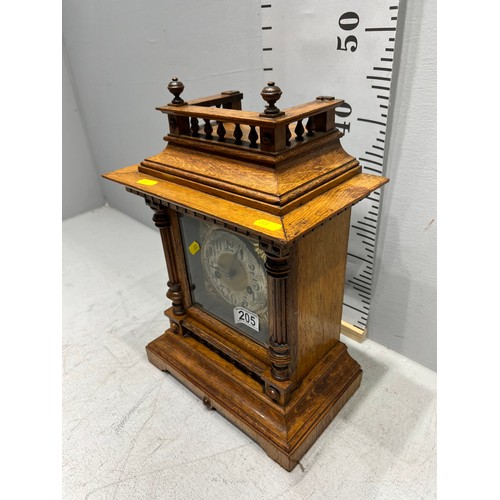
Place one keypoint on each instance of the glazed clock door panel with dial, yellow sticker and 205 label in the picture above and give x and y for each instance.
(227, 276)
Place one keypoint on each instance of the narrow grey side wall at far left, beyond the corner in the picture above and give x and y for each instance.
(81, 187)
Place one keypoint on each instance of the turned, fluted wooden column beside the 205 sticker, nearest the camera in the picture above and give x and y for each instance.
(277, 268)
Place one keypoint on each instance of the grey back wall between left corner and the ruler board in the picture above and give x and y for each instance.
(123, 54)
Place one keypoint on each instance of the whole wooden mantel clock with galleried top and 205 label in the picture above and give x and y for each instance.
(253, 211)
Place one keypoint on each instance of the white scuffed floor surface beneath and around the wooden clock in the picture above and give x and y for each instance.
(131, 431)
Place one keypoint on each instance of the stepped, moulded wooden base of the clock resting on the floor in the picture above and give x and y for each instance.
(284, 432)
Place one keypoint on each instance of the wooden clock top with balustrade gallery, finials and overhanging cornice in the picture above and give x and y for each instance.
(284, 167)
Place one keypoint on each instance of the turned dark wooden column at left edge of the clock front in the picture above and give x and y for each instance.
(162, 221)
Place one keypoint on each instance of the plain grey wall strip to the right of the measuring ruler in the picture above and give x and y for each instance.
(403, 313)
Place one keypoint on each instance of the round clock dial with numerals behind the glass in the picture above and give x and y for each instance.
(234, 271)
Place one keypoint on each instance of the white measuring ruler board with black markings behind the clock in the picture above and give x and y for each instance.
(343, 48)
